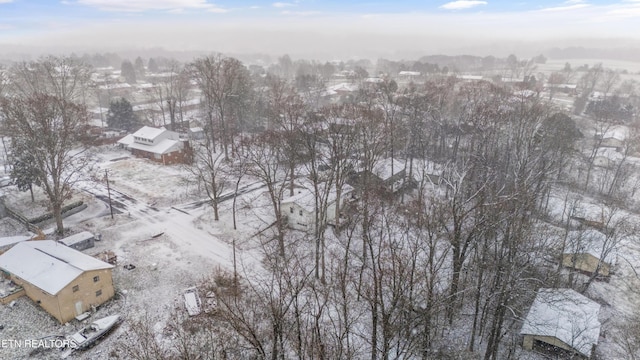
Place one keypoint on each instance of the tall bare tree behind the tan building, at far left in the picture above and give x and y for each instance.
(44, 114)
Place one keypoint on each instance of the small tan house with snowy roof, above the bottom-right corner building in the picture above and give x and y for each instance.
(589, 251)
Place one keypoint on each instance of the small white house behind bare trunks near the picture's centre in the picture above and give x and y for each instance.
(300, 209)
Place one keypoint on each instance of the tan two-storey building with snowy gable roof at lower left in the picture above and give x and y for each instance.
(64, 282)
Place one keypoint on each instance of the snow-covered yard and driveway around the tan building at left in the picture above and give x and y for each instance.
(189, 250)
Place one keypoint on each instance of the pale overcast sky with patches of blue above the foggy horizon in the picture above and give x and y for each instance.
(308, 26)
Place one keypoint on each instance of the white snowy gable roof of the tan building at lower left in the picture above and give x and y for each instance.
(48, 265)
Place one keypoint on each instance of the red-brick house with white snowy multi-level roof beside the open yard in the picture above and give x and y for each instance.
(158, 144)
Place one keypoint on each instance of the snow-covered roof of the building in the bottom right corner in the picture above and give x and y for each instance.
(566, 315)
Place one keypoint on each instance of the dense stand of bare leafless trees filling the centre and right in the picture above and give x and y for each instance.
(461, 253)
